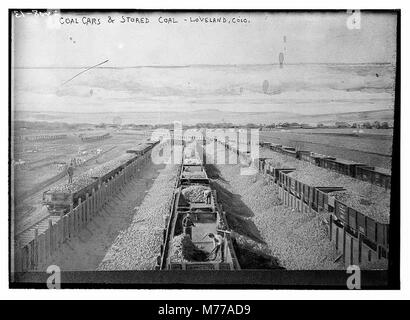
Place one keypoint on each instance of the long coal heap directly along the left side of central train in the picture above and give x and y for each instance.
(138, 246)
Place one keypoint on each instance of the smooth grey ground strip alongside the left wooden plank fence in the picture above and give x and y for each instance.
(85, 252)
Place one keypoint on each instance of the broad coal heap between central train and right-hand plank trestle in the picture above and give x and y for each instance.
(297, 240)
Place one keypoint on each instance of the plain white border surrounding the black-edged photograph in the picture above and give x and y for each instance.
(6, 293)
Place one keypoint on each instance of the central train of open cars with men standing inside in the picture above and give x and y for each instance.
(207, 216)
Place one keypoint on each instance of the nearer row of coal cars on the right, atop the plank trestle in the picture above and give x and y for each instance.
(351, 211)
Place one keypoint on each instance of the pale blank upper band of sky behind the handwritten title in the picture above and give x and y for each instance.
(303, 37)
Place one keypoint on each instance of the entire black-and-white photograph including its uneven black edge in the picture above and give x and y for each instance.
(216, 148)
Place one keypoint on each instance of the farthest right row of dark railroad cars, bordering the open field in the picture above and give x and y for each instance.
(377, 176)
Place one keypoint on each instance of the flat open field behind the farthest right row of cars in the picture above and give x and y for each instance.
(373, 147)
